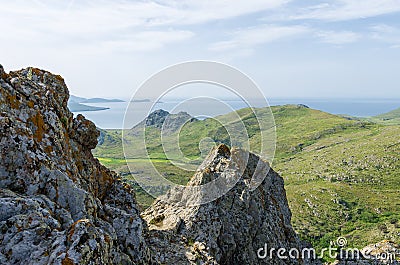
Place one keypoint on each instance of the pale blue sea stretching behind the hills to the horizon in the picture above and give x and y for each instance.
(118, 117)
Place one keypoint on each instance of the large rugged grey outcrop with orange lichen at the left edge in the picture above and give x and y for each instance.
(58, 205)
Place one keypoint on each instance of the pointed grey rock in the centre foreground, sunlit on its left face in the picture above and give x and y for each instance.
(231, 229)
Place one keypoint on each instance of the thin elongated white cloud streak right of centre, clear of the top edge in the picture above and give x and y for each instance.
(249, 37)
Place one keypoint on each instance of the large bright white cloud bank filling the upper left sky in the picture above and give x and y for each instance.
(116, 25)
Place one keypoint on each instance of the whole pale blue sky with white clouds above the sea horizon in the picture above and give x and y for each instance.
(332, 48)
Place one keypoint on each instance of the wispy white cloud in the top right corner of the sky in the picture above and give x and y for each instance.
(340, 10)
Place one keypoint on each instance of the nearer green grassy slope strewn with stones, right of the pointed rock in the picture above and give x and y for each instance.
(346, 184)
